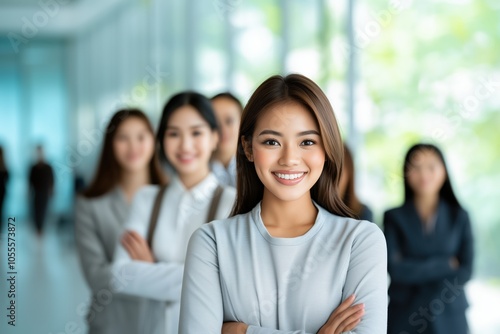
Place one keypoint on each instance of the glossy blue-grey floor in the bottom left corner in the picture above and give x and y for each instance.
(50, 292)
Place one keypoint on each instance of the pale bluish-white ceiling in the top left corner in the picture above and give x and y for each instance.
(67, 17)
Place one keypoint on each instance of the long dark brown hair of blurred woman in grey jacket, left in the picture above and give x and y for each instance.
(108, 171)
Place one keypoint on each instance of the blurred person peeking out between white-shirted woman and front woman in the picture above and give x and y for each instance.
(228, 111)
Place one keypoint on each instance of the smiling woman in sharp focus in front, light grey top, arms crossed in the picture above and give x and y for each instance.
(290, 259)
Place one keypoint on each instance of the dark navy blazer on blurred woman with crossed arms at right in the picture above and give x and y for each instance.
(426, 294)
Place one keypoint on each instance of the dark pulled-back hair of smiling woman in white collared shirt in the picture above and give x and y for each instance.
(196, 100)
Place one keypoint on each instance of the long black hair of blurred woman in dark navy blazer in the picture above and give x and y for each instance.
(446, 192)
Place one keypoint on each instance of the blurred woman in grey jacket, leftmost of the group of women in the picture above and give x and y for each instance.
(127, 163)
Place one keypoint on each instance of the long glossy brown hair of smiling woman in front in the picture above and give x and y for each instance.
(298, 89)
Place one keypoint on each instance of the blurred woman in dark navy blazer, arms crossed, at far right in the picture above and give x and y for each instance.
(430, 250)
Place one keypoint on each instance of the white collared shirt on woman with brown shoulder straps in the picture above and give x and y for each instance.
(182, 212)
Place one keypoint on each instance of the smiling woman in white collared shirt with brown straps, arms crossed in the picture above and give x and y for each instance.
(187, 137)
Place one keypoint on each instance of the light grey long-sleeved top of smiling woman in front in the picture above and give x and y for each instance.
(236, 271)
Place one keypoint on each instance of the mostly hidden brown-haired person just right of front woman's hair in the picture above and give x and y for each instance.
(347, 189)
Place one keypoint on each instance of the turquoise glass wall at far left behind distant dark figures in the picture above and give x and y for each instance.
(34, 111)
